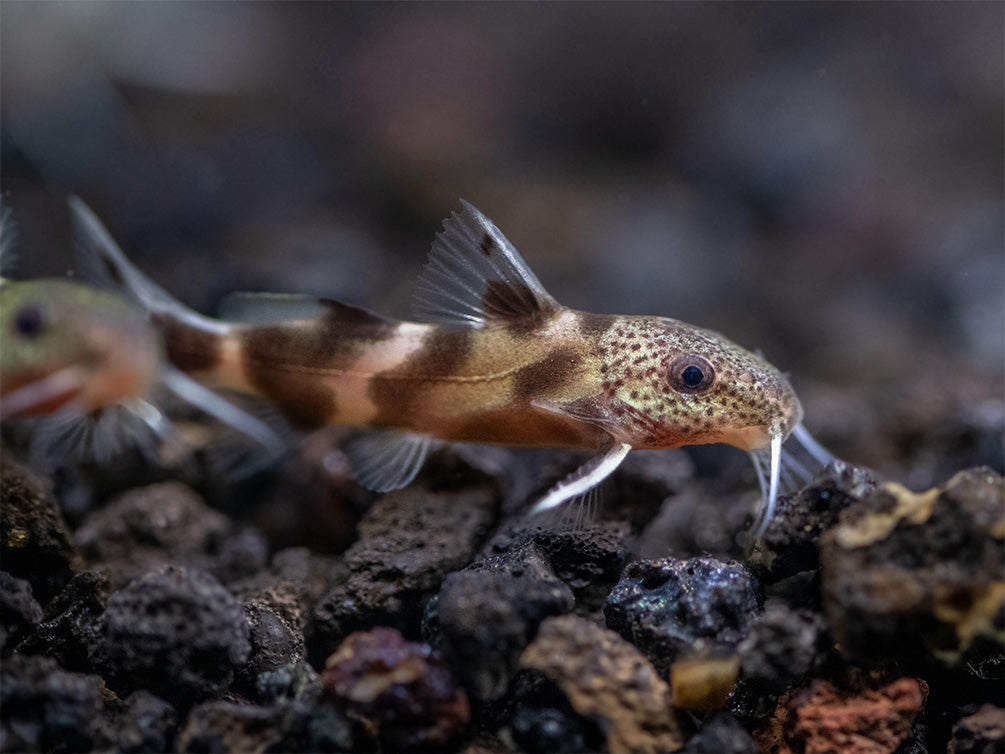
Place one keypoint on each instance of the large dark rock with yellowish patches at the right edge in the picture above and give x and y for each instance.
(918, 577)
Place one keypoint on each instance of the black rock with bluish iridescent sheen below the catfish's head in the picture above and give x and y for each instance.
(673, 608)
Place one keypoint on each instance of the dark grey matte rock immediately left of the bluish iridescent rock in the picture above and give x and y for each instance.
(486, 616)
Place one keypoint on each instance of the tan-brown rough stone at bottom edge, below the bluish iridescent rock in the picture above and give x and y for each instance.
(605, 677)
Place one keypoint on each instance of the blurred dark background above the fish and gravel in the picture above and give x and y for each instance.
(822, 181)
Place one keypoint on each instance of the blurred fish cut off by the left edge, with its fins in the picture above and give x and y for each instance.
(75, 355)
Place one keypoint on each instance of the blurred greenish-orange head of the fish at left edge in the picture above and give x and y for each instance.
(68, 345)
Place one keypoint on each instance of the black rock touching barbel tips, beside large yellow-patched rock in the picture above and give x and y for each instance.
(791, 543)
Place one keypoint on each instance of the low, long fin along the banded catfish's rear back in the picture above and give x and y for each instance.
(274, 309)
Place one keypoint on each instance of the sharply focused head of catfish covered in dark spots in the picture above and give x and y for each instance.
(670, 385)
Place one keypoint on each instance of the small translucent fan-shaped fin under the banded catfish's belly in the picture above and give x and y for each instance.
(385, 461)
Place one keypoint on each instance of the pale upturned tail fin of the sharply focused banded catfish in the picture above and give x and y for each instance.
(105, 263)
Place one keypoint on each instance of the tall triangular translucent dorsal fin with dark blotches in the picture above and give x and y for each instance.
(476, 277)
